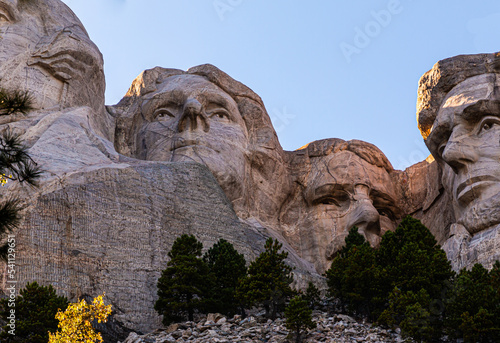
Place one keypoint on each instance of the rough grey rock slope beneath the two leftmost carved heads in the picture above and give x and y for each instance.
(102, 222)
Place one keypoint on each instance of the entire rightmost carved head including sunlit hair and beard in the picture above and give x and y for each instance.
(459, 118)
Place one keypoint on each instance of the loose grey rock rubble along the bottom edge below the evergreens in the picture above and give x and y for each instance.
(217, 328)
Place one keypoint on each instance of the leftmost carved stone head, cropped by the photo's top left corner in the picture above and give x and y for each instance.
(45, 50)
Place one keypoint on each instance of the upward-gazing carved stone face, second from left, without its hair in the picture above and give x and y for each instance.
(190, 119)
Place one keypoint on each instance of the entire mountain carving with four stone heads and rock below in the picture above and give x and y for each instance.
(195, 152)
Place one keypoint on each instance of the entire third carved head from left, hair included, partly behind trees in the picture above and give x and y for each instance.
(338, 184)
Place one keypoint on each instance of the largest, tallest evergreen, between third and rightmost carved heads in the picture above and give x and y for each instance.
(411, 261)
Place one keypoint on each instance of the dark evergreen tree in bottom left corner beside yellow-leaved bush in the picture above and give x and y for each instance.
(35, 314)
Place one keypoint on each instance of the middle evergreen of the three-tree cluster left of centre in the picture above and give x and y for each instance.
(227, 267)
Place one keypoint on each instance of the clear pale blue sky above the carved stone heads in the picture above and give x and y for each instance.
(338, 68)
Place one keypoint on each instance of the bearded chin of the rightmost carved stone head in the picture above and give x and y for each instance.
(482, 216)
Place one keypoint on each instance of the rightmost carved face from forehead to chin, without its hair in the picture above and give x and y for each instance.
(465, 139)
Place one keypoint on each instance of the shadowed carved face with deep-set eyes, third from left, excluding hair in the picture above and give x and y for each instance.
(341, 191)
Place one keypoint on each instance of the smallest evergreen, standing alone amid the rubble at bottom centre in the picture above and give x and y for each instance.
(298, 316)
